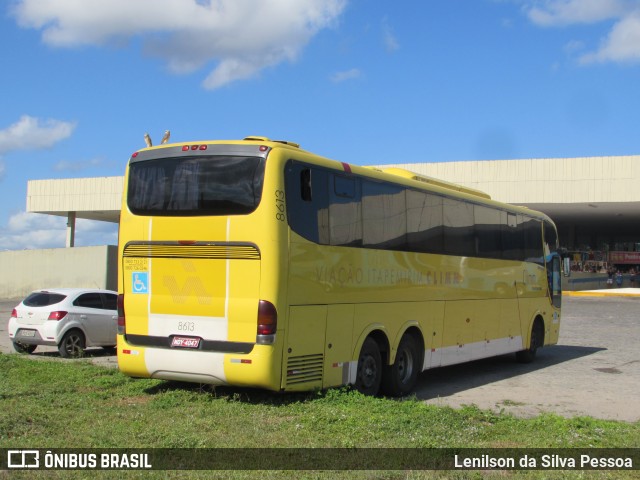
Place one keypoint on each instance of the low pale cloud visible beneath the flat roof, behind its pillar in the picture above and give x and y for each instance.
(31, 230)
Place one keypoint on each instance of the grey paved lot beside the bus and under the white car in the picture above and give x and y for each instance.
(594, 370)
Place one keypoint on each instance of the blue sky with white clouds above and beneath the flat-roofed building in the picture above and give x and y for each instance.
(361, 81)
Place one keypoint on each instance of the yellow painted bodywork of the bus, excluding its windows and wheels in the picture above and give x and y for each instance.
(328, 298)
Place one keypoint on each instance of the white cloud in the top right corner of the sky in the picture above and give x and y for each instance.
(621, 44)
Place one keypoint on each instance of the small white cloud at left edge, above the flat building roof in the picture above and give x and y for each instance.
(30, 133)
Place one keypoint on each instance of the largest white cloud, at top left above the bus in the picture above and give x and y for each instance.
(242, 36)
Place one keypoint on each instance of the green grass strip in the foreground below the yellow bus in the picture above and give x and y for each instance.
(53, 404)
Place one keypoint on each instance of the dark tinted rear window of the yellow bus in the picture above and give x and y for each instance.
(199, 185)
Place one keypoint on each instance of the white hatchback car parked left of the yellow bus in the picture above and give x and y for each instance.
(69, 318)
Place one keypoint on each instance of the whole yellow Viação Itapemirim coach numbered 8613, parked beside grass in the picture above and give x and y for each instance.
(255, 263)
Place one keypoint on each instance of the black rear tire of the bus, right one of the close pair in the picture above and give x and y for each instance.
(400, 378)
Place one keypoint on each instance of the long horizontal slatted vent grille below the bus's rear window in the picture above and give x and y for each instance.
(173, 250)
